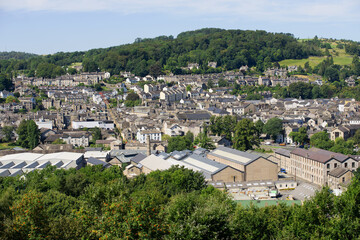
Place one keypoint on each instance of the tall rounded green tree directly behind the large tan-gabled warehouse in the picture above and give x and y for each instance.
(245, 136)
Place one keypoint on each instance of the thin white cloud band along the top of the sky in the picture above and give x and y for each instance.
(273, 10)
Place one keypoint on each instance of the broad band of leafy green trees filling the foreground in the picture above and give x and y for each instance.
(96, 203)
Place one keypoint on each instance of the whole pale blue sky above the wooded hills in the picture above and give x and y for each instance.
(50, 26)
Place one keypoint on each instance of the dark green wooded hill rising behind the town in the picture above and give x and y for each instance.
(229, 48)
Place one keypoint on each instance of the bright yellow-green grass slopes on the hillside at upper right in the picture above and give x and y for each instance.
(339, 56)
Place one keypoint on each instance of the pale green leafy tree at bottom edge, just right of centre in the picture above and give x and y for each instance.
(203, 216)
